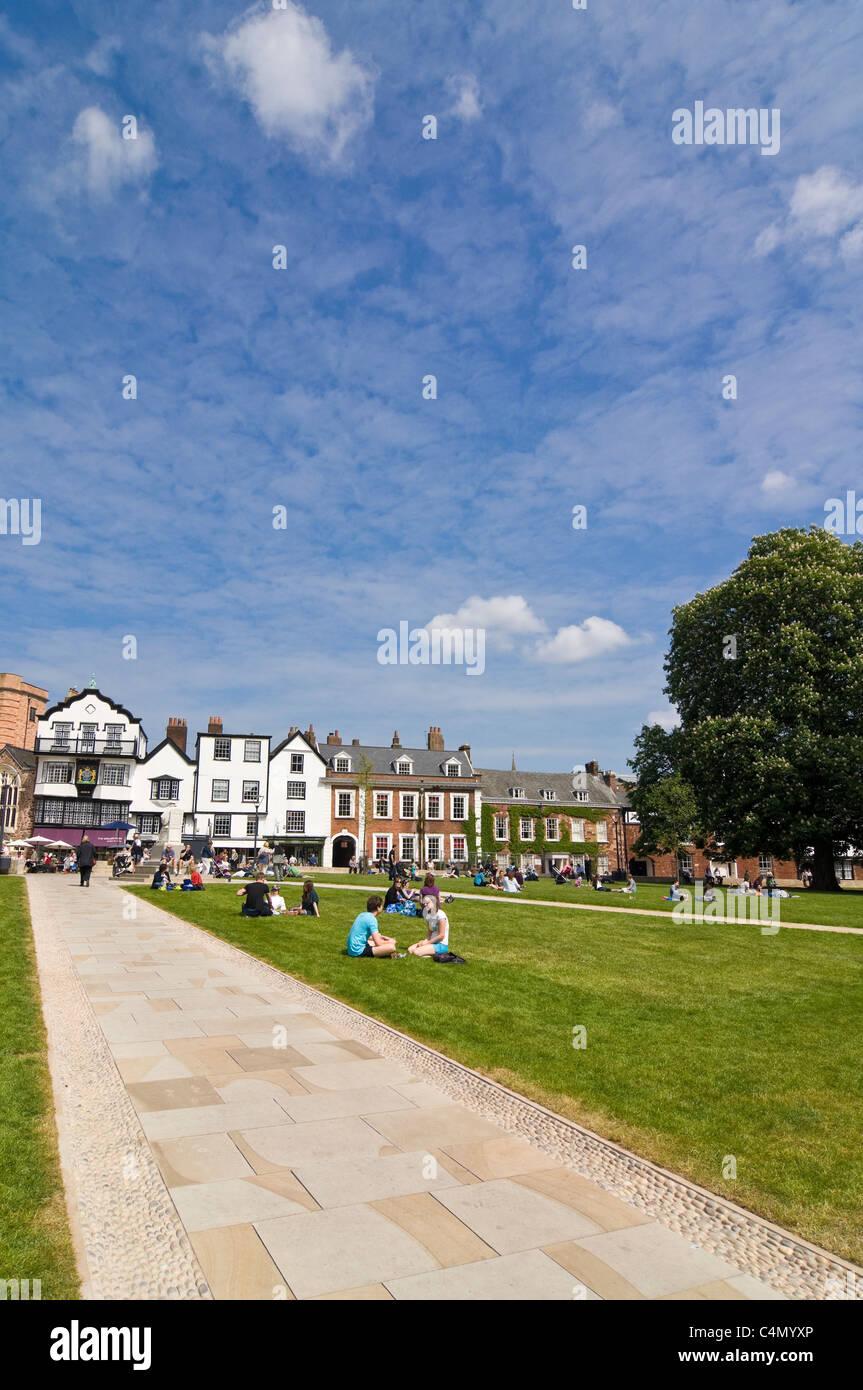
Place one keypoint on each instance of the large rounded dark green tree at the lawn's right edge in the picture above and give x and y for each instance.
(766, 672)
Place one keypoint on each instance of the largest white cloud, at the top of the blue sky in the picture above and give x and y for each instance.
(283, 65)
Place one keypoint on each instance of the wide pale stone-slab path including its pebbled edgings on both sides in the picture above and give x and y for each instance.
(227, 1132)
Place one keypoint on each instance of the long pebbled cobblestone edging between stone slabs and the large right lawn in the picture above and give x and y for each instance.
(772, 1254)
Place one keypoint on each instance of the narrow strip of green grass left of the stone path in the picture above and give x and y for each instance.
(35, 1241)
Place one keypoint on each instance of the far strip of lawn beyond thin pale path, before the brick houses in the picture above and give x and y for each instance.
(832, 910)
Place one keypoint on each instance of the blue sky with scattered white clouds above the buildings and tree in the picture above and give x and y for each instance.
(406, 258)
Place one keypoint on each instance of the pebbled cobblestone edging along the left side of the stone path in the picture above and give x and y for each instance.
(123, 1218)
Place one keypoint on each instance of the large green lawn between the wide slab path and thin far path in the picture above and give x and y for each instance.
(702, 1042)
